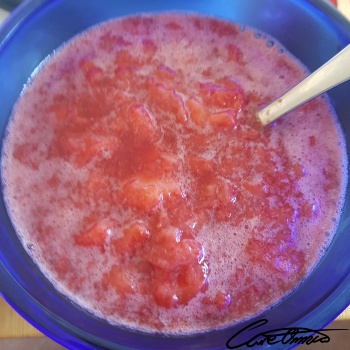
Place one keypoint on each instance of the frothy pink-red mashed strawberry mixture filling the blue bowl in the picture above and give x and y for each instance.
(253, 209)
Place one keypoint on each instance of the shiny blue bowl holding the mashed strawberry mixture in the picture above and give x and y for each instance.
(312, 30)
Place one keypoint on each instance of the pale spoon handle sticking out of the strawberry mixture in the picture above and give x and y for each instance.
(332, 73)
